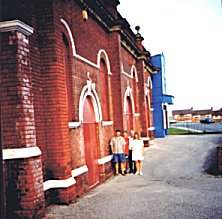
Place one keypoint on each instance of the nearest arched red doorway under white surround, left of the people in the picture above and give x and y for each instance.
(90, 128)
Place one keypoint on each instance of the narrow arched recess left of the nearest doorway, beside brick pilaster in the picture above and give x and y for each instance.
(67, 63)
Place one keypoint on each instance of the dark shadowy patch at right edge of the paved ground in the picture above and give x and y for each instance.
(211, 163)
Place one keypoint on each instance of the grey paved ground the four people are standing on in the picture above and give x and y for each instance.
(174, 185)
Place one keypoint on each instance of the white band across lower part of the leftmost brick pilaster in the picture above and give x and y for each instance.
(21, 153)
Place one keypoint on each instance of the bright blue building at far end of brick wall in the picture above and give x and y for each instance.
(160, 99)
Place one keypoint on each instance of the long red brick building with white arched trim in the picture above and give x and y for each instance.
(72, 71)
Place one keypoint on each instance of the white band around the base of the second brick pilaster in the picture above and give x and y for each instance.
(60, 183)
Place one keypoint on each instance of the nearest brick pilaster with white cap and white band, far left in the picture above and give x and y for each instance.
(24, 180)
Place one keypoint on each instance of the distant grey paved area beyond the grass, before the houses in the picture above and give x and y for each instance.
(213, 127)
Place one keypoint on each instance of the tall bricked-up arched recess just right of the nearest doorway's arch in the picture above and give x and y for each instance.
(104, 88)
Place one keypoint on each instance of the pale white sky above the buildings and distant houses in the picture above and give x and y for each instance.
(189, 33)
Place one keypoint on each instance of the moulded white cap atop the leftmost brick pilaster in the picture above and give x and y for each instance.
(16, 25)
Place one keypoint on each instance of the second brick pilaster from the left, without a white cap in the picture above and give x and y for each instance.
(58, 165)
